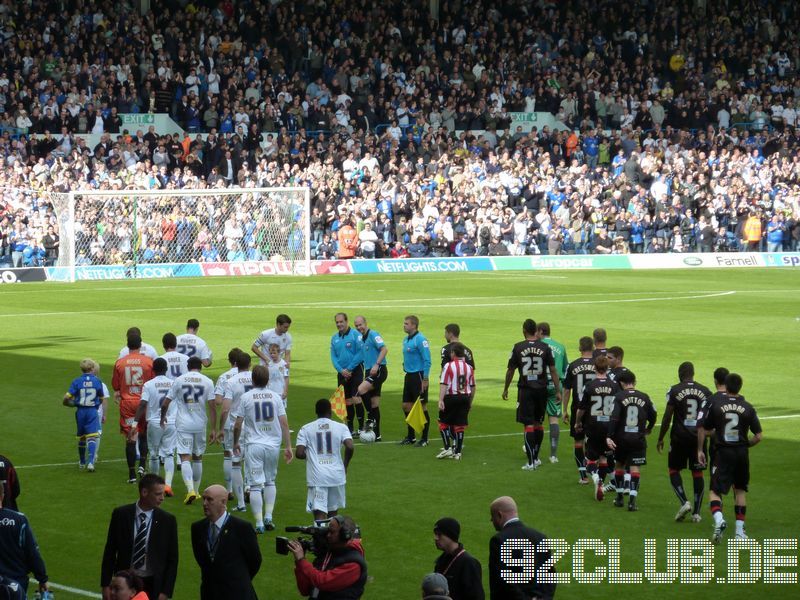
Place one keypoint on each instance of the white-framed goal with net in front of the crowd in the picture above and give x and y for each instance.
(208, 227)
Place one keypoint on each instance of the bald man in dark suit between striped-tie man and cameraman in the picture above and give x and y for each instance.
(226, 550)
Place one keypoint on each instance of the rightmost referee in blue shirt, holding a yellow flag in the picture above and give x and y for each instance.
(417, 365)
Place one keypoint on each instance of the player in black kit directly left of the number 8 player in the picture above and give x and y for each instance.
(594, 415)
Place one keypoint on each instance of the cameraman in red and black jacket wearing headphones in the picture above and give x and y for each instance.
(341, 572)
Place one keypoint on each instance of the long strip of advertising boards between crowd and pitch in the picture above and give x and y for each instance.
(407, 265)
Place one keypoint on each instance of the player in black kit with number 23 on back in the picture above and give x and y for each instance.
(532, 358)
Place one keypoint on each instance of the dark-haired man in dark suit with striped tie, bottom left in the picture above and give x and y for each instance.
(144, 538)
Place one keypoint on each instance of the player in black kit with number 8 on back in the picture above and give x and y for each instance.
(633, 418)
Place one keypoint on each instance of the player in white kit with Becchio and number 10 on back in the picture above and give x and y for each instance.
(260, 419)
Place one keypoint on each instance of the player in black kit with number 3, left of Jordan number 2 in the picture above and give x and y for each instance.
(687, 401)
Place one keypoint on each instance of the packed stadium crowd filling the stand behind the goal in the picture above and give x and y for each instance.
(680, 126)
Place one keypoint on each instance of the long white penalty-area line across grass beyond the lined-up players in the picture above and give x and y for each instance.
(359, 303)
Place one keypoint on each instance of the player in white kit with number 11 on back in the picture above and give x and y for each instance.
(319, 443)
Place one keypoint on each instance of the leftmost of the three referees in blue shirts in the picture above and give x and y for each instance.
(347, 359)
